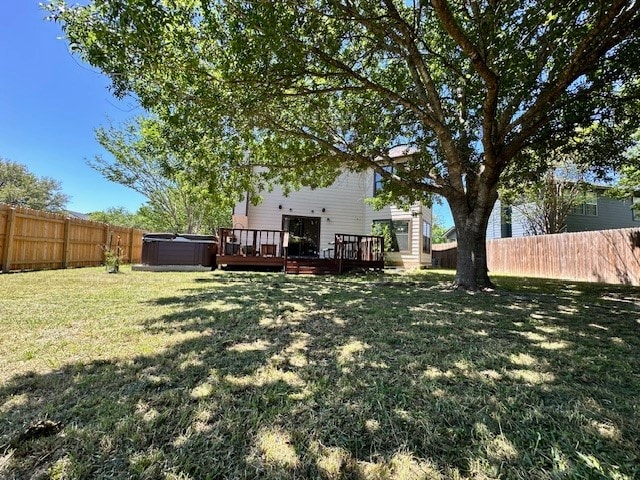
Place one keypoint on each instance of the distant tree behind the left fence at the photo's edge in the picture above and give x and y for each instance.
(22, 188)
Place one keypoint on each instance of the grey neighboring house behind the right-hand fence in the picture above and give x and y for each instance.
(596, 212)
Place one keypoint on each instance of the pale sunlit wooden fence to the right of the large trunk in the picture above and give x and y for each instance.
(609, 256)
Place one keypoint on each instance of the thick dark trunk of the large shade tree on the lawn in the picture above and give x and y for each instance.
(471, 227)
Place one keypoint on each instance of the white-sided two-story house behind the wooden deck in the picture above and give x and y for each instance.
(315, 216)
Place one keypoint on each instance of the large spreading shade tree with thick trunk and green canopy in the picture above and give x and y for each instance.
(308, 87)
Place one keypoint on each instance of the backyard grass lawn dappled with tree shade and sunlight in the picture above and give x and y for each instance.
(240, 375)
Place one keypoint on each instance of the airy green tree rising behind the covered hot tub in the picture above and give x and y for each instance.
(144, 161)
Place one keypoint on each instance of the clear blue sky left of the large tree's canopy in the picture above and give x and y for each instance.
(50, 105)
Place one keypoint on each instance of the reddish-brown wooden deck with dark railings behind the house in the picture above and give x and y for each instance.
(250, 249)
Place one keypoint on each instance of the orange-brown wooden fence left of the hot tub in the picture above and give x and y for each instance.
(35, 240)
